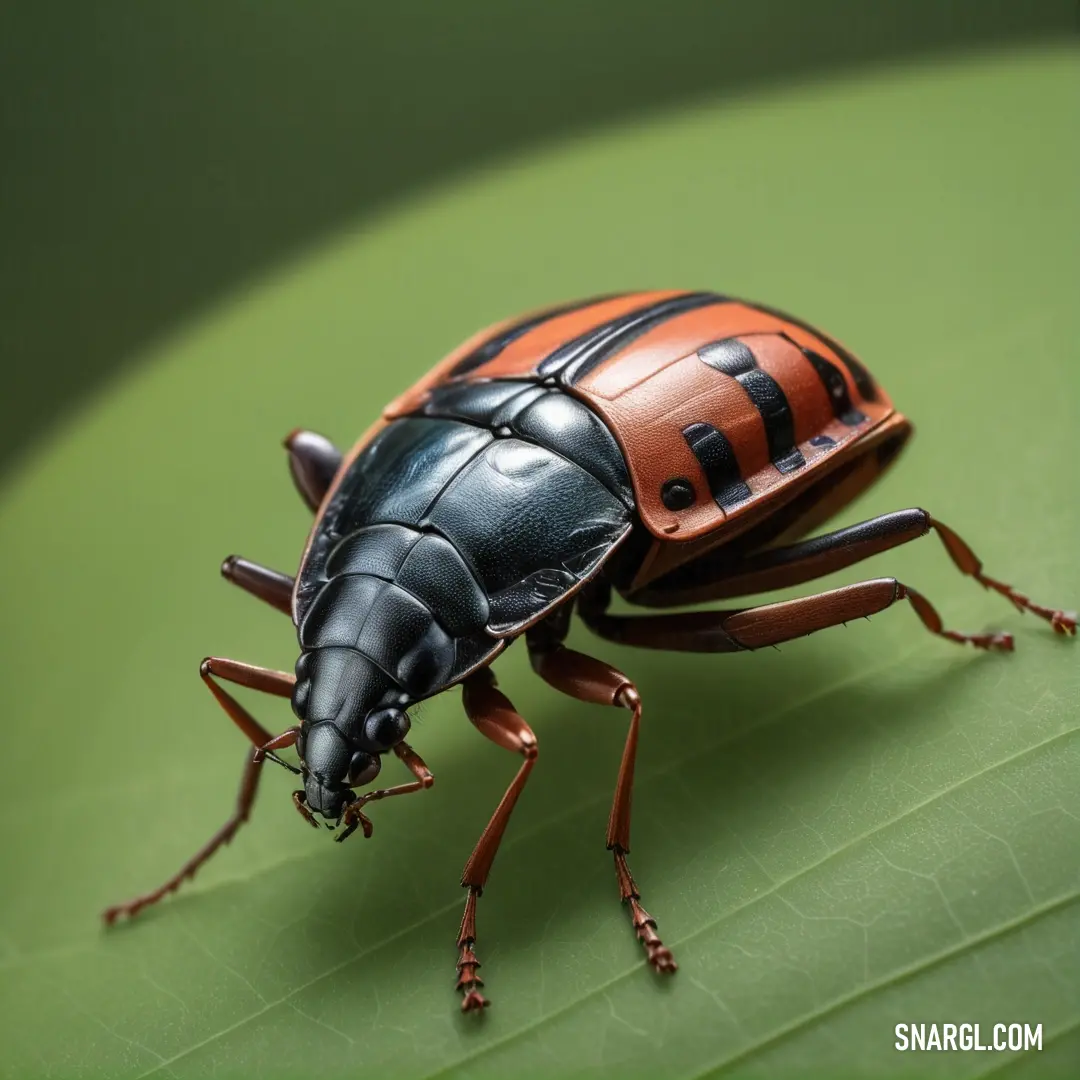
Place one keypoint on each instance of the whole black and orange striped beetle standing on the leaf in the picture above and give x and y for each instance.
(672, 447)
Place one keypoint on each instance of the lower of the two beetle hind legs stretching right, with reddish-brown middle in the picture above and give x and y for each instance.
(773, 624)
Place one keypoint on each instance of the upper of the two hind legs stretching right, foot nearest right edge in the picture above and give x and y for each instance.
(722, 575)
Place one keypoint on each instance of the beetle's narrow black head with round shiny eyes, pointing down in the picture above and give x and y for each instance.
(352, 715)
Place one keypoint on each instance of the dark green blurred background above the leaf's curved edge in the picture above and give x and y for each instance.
(156, 157)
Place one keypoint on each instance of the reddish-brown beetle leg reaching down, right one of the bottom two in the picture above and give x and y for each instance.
(596, 682)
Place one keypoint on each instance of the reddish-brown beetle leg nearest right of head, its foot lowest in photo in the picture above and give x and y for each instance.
(494, 715)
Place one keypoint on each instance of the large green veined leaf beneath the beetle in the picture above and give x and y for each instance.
(869, 828)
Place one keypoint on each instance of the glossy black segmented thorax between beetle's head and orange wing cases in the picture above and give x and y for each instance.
(449, 534)
